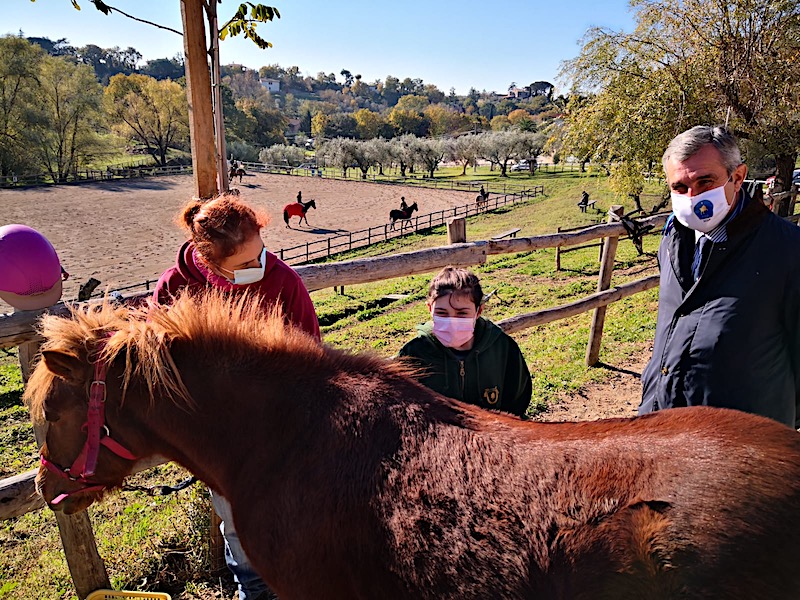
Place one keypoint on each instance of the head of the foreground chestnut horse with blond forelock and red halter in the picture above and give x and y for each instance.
(77, 390)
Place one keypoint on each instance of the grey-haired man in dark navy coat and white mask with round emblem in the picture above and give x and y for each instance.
(728, 329)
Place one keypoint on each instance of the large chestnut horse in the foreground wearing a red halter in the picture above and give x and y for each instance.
(350, 480)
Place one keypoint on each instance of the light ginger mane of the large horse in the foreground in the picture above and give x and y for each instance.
(235, 330)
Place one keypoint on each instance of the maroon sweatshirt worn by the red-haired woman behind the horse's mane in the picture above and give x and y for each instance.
(280, 285)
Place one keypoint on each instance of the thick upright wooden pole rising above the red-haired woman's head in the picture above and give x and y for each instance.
(198, 93)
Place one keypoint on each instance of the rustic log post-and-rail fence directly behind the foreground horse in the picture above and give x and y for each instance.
(18, 495)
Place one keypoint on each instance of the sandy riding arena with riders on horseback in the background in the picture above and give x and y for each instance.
(123, 233)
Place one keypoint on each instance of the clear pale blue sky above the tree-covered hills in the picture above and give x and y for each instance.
(461, 44)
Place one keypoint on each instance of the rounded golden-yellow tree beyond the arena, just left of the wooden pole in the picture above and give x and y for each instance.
(152, 112)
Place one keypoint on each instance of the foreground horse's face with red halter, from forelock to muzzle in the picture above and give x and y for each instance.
(72, 394)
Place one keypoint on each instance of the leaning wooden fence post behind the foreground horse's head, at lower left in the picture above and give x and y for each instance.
(87, 569)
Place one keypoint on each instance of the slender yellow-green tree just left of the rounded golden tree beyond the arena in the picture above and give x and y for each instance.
(68, 108)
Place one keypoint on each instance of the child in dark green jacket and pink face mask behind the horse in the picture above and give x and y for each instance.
(465, 356)
